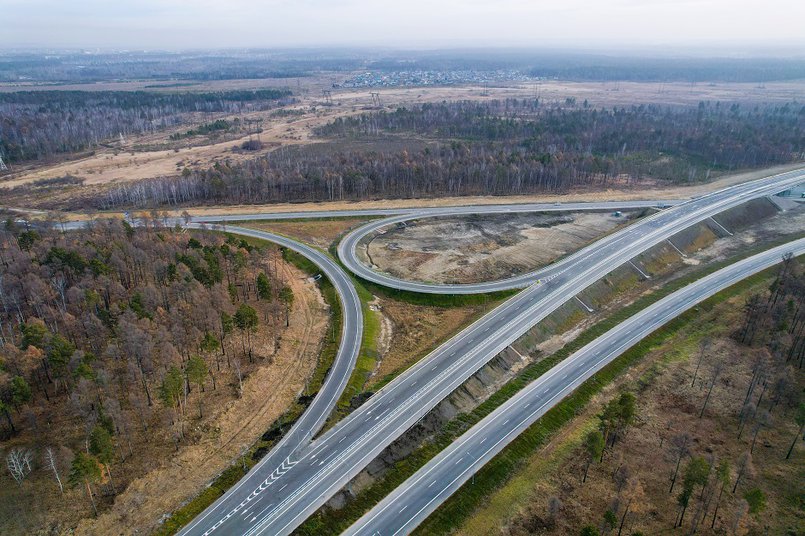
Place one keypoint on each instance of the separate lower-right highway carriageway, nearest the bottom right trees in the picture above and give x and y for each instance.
(423, 492)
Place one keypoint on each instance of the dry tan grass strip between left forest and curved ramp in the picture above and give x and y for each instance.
(267, 393)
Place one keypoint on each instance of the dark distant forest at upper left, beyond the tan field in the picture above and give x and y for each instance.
(37, 125)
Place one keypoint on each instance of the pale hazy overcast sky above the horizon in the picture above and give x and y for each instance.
(409, 23)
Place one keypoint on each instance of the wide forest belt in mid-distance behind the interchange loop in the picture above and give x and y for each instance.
(498, 148)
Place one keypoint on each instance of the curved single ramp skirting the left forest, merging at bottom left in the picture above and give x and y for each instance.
(276, 462)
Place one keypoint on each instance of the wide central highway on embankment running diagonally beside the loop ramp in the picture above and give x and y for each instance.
(316, 473)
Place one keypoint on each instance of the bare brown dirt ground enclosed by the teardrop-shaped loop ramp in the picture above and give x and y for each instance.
(475, 249)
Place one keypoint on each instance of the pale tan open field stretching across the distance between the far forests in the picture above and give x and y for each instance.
(112, 165)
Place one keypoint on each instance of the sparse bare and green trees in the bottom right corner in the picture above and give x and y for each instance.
(713, 486)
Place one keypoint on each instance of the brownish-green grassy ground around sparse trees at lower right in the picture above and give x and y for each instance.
(667, 405)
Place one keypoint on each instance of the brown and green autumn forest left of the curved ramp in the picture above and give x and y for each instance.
(116, 341)
